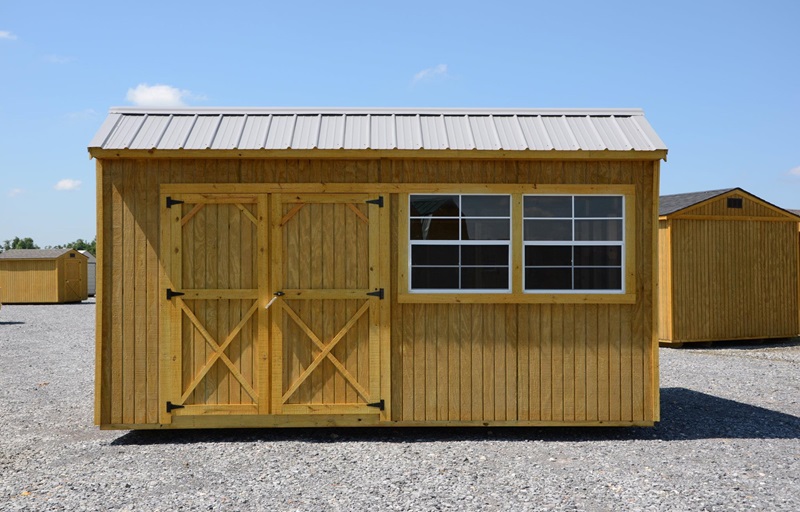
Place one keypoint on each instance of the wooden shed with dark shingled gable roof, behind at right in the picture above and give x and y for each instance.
(730, 268)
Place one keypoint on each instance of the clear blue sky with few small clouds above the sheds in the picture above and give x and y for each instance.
(718, 80)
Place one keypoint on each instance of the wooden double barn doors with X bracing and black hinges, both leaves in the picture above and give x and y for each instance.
(272, 304)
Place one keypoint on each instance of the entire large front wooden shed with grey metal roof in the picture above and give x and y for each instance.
(343, 267)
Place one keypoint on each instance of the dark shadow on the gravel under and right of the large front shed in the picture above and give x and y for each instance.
(686, 415)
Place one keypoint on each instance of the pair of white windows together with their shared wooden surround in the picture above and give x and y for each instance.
(517, 243)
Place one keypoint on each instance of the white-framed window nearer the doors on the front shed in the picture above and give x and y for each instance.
(460, 242)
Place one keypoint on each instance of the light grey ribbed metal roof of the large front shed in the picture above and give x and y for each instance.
(376, 129)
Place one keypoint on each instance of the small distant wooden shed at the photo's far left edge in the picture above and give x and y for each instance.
(41, 276)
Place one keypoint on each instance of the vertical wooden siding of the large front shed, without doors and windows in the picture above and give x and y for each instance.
(479, 363)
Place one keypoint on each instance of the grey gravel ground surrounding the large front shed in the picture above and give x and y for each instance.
(729, 440)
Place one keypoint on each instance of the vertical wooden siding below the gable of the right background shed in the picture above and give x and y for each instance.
(734, 280)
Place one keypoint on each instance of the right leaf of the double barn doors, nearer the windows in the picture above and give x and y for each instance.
(326, 322)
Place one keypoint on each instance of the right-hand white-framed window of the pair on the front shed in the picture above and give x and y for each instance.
(573, 243)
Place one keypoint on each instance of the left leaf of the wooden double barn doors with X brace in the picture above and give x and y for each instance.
(211, 360)
